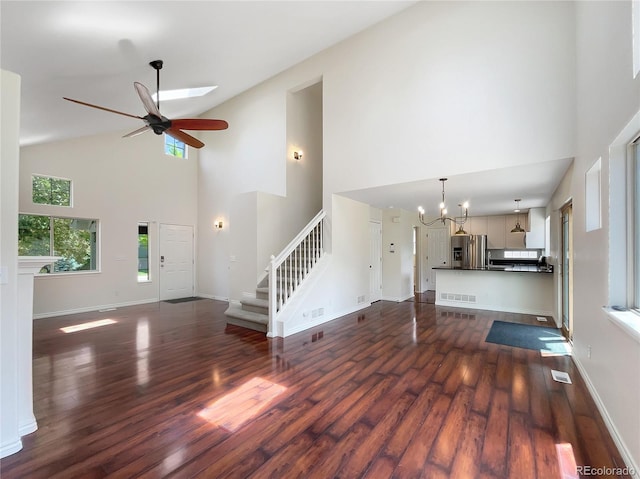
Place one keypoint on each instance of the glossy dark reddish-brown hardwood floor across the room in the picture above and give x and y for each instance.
(396, 390)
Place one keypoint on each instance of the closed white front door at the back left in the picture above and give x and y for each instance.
(176, 262)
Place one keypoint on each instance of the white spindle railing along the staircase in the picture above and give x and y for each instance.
(289, 269)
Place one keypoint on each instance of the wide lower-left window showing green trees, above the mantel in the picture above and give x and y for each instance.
(74, 239)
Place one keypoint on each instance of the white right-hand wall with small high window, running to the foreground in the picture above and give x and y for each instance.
(607, 98)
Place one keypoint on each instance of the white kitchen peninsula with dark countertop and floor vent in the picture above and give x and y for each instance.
(515, 289)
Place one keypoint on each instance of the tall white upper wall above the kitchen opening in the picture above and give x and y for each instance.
(445, 88)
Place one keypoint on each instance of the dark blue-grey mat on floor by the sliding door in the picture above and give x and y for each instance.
(547, 340)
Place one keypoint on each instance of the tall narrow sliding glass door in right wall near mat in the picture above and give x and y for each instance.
(566, 270)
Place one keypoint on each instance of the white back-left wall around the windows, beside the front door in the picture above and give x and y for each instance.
(120, 182)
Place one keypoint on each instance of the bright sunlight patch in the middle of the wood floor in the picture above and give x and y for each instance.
(237, 407)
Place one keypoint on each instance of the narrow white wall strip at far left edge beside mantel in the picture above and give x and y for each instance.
(9, 153)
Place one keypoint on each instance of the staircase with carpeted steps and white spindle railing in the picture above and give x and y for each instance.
(285, 275)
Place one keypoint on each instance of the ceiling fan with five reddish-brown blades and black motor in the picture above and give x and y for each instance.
(160, 124)
